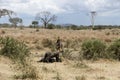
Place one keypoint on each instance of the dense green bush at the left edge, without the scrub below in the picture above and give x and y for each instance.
(13, 49)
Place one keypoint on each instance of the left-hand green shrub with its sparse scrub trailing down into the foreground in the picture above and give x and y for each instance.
(18, 53)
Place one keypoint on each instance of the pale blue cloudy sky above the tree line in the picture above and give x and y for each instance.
(67, 11)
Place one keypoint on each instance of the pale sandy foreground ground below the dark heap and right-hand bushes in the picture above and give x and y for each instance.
(98, 70)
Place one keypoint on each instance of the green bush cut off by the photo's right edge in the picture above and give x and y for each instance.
(114, 50)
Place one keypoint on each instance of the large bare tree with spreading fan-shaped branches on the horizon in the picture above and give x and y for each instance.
(45, 17)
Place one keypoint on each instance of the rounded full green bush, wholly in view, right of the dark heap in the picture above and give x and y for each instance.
(93, 49)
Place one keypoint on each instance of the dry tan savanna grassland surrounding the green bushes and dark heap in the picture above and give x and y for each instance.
(72, 67)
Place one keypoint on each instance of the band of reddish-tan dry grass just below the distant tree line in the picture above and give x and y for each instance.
(32, 35)
